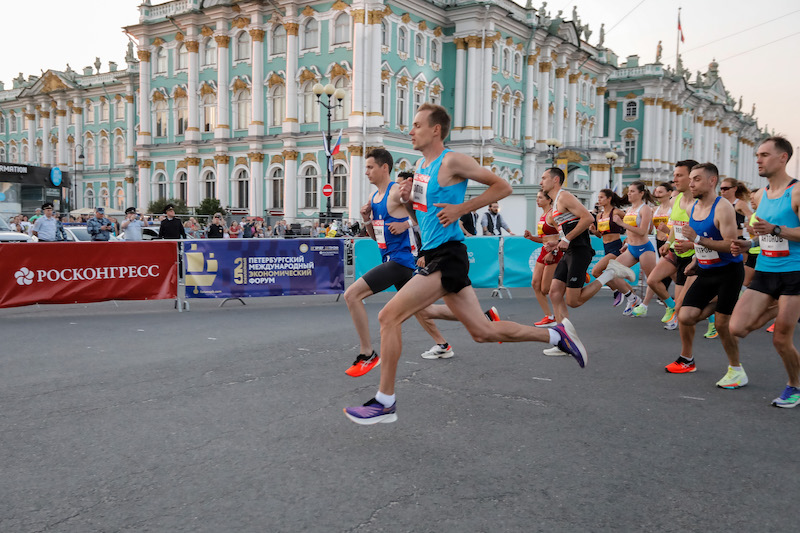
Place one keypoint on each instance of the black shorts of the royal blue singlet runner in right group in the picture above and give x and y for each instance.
(722, 282)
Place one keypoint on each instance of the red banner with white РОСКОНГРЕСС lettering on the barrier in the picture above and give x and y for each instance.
(74, 272)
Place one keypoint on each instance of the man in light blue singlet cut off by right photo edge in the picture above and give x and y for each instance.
(777, 275)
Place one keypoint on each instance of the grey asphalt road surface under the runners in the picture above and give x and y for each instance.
(140, 418)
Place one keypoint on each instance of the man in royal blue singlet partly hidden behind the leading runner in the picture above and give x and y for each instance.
(388, 223)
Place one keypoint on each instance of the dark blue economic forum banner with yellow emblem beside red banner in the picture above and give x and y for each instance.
(246, 268)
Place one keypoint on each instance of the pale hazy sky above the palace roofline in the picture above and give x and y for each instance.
(755, 44)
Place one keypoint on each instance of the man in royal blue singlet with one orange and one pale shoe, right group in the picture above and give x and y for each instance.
(712, 228)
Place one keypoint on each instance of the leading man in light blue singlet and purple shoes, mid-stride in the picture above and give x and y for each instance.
(437, 191)
